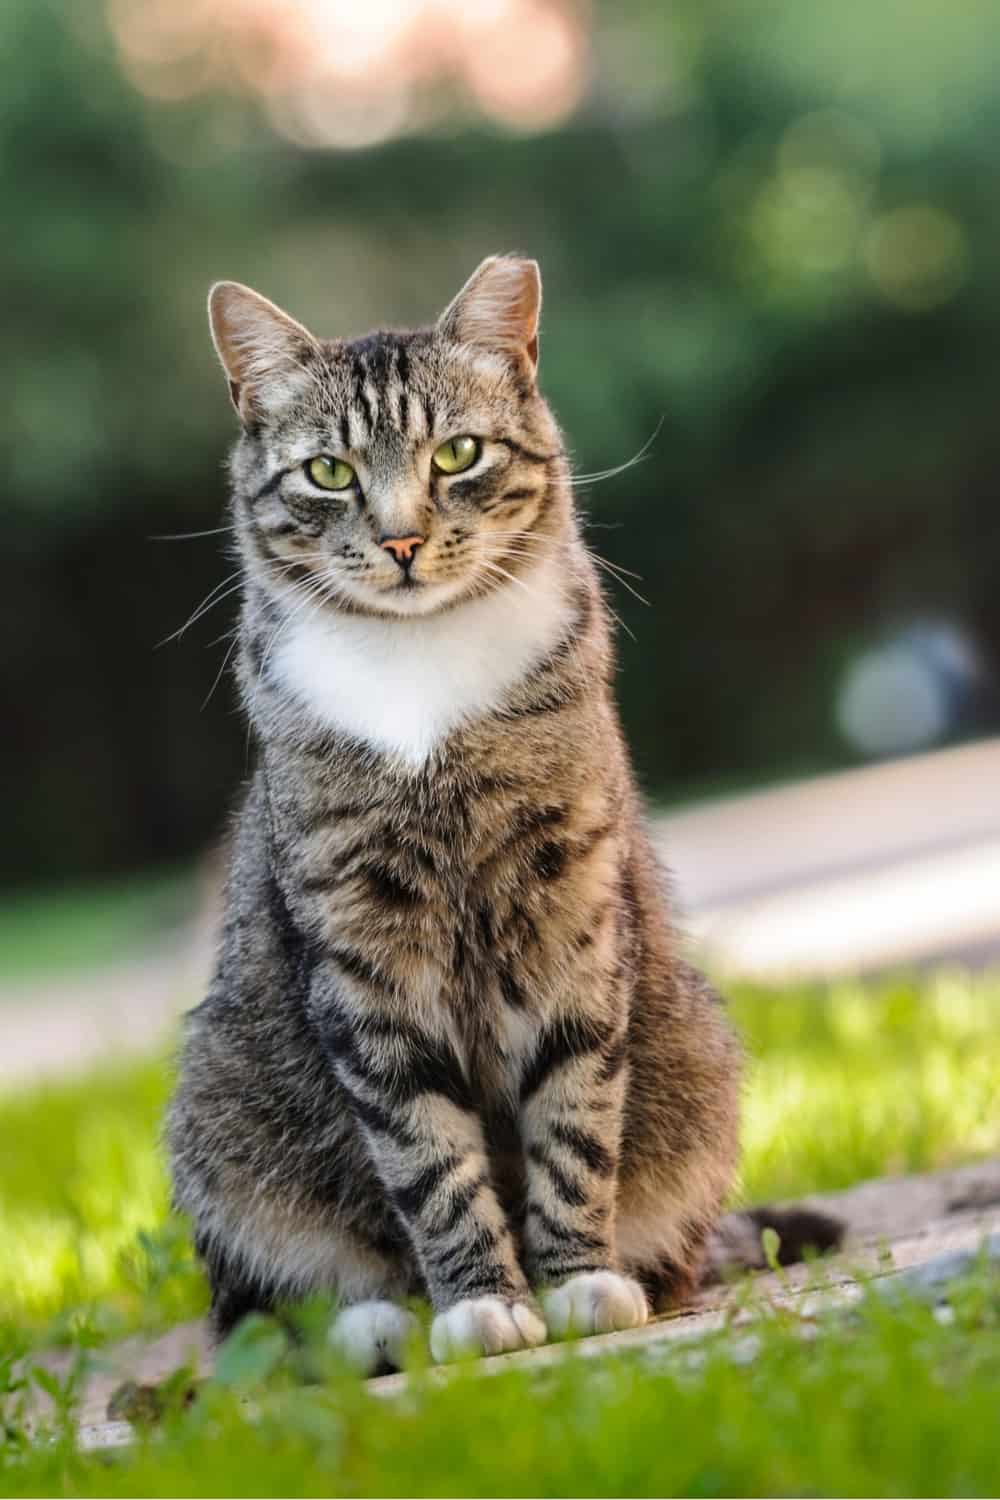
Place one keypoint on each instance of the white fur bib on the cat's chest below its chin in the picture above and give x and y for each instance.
(406, 685)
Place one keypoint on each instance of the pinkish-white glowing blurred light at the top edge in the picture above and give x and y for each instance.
(335, 73)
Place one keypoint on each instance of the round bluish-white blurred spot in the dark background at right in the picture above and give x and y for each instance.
(912, 692)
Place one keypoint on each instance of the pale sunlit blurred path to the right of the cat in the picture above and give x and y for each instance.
(849, 874)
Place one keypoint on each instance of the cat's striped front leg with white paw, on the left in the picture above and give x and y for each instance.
(413, 1103)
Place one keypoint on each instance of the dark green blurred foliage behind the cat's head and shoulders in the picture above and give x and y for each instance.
(768, 235)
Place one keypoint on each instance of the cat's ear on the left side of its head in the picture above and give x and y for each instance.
(263, 350)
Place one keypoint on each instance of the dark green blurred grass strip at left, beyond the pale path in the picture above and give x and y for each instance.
(79, 928)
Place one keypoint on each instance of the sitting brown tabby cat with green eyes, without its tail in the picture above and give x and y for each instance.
(451, 1048)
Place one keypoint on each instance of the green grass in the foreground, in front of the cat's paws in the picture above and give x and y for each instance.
(891, 1402)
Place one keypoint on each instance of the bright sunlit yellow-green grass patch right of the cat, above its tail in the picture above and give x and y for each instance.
(857, 1082)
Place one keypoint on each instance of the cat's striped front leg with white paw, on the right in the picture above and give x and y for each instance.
(572, 1100)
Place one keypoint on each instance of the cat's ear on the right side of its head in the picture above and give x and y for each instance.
(499, 310)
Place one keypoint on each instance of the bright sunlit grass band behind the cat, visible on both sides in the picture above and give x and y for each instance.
(845, 1084)
